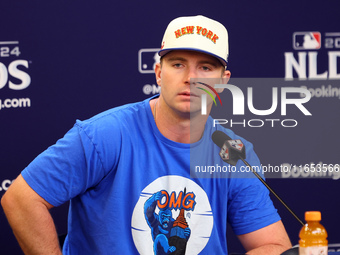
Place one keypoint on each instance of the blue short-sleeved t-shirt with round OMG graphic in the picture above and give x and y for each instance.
(131, 190)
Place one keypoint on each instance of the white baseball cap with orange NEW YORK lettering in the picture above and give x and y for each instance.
(196, 33)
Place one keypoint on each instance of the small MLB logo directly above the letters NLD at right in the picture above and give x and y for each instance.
(306, 40)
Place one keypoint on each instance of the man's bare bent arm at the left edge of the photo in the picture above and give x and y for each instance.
(28, 214)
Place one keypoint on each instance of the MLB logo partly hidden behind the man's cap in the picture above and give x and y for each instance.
(147, 58)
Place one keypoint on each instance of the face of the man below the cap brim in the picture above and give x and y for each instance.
(174, 74)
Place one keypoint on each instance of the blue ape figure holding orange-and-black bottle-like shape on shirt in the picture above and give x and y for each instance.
(169, 235)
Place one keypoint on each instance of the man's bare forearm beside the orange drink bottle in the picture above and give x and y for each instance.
(272, 240)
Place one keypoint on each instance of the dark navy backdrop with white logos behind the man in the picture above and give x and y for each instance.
(67, 60)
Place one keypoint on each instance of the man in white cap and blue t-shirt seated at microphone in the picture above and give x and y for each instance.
(129, 167)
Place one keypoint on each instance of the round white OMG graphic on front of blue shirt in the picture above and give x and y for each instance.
(172, 216)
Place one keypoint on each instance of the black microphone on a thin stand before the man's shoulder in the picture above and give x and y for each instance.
(232, 150)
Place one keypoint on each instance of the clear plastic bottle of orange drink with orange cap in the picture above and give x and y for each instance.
(313, 236)
